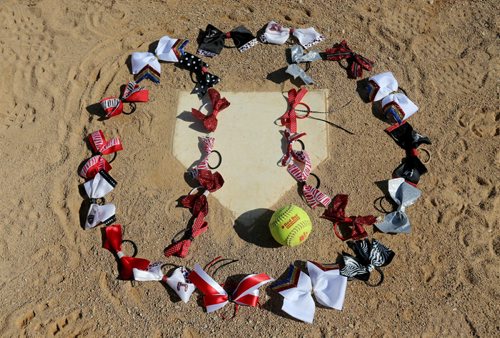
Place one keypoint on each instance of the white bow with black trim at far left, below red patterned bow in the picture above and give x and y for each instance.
(96, 189)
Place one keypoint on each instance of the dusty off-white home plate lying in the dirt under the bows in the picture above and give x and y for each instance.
(251, 145)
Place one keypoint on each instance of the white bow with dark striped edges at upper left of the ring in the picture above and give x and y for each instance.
(146, 65)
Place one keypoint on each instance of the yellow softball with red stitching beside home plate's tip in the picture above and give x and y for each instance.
(290, 225)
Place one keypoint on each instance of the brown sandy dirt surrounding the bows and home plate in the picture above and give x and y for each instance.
(61, 57)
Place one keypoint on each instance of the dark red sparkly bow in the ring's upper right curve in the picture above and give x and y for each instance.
(355, 62)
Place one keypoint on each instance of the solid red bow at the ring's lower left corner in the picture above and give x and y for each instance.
(113, 242)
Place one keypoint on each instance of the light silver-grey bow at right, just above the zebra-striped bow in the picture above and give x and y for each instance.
(404, 195)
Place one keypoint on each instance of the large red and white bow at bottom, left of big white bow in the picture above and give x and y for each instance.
(215, 297)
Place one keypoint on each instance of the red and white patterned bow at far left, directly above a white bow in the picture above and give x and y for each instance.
(99, 147)
